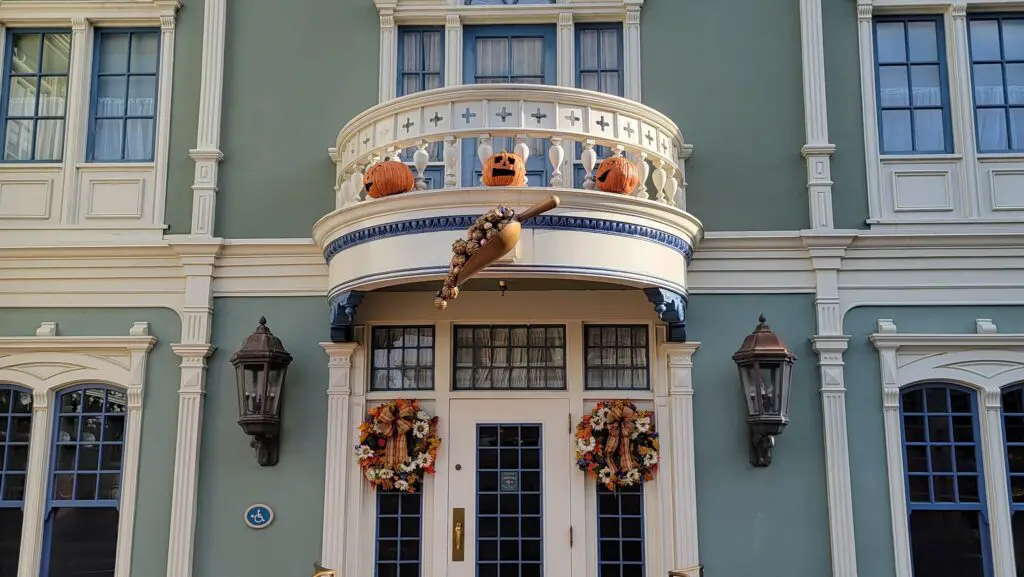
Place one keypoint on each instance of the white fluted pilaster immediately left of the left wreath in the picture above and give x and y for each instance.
(339, 451)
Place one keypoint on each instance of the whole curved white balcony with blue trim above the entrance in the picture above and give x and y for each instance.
(644, 239)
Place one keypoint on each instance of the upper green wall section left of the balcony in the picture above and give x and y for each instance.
(285, 103)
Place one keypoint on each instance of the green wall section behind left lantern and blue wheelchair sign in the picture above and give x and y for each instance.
(230, 477)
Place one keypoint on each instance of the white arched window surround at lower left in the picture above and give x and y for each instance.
(46, 364)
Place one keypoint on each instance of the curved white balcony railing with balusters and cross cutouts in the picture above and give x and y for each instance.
(476, 115)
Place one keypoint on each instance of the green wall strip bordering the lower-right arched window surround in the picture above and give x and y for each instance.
(873, 520)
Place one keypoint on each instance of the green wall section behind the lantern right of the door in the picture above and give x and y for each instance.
(771, 522)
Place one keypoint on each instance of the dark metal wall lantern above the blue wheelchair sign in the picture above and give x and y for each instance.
(260, 370)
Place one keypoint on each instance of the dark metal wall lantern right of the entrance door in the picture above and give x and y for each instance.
(766, 374)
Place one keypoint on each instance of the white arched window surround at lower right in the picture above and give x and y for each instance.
(985, 362)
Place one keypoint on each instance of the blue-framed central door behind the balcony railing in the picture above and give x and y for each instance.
(517, 55)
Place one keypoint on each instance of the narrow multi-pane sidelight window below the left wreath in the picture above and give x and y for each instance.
(399, 534)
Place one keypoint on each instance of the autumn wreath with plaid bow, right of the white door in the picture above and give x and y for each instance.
(617, 444)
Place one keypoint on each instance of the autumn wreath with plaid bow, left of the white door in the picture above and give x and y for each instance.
(398, 445)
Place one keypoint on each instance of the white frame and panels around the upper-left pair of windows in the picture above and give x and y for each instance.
(75, 199)
